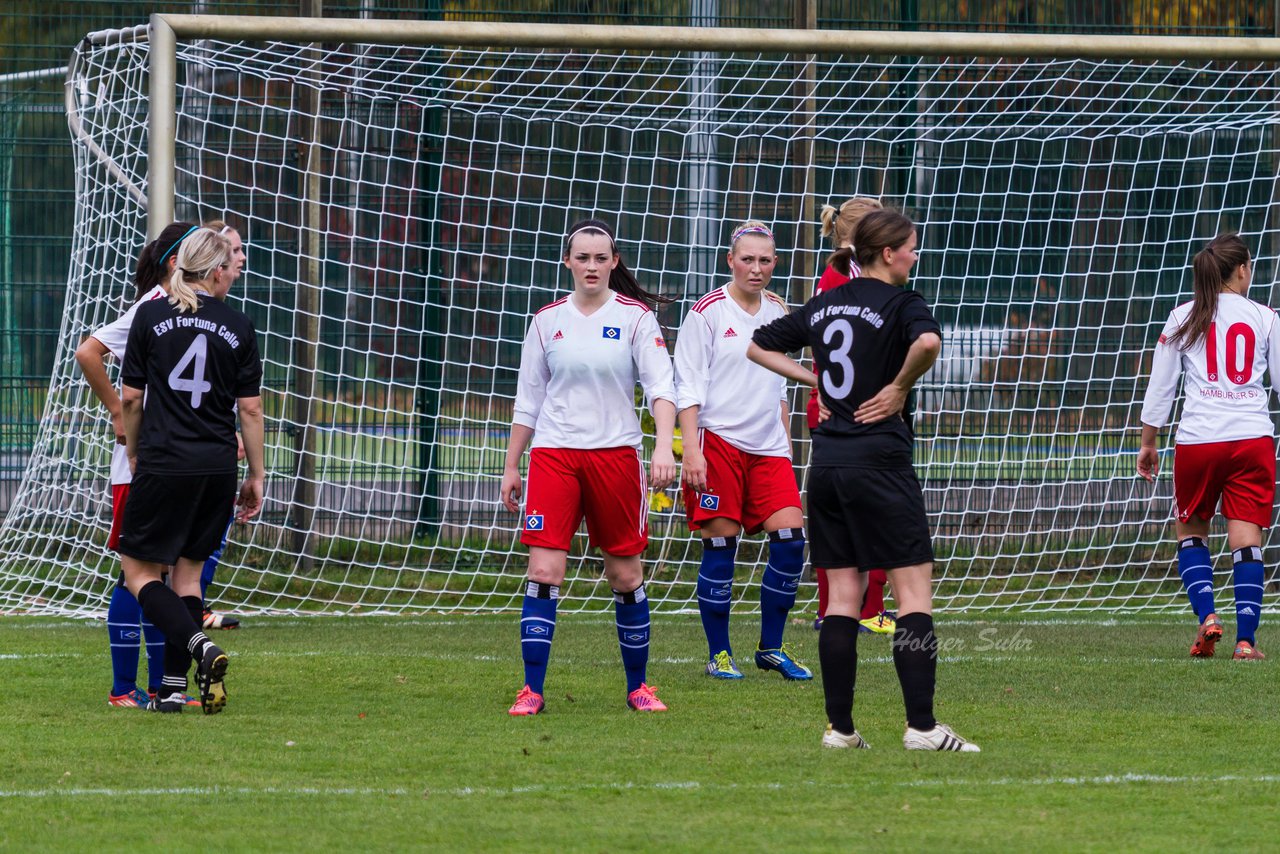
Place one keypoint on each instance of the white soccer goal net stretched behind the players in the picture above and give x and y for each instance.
(404, 209)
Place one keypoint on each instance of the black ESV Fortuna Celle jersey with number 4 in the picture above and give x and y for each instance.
(194, 368)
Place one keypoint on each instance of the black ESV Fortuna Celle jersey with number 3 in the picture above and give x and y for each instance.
(860, 335)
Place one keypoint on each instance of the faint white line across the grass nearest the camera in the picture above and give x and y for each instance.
(691, 786)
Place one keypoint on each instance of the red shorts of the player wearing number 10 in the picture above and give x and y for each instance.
(1241, 473)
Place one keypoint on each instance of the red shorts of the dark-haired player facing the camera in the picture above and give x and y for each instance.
(604, 485)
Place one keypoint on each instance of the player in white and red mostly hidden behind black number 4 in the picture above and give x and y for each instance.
(125, 625)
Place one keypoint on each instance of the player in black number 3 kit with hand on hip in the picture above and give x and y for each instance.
(871, 341)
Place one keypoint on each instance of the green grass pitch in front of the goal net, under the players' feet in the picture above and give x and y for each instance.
(385, 734)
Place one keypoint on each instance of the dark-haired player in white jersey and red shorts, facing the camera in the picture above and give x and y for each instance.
(575, 401)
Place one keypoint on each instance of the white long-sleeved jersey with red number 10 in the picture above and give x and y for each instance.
(1226, 398)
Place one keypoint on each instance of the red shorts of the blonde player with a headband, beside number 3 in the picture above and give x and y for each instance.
(744, 487)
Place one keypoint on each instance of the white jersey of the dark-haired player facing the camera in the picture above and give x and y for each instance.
(578, 373)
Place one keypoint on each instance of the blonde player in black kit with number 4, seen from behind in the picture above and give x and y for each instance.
(196, 362)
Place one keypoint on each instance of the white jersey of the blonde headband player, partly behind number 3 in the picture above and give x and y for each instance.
(738, 400)
